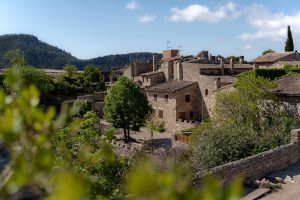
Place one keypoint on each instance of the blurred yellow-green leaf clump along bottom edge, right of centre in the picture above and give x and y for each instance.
(147, 182)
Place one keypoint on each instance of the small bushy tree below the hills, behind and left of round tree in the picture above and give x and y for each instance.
(92, 79)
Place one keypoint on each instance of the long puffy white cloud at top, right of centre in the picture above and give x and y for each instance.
(197, 12)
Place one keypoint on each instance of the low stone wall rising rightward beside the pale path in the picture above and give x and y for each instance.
(262, 164)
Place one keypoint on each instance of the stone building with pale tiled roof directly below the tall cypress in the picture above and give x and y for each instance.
(270, 59)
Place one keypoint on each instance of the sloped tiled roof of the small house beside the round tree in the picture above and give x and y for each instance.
(171, 86)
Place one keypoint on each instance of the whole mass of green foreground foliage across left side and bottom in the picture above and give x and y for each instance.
(52, 157)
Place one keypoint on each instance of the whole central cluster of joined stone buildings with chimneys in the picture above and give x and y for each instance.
(175, 79)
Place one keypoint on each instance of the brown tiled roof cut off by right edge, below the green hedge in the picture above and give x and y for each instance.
(289, 85)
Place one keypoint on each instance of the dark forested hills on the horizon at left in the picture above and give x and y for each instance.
(40, 54)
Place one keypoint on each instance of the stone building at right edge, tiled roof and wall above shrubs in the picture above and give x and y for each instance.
(288, 91)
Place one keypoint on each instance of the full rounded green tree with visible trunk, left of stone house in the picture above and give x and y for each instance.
(126, 106)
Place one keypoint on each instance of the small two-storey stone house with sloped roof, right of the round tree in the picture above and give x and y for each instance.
(176, 102)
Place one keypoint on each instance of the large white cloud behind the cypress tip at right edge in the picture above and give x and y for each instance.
(269, 25)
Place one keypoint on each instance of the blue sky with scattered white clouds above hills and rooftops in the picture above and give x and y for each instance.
(94, 28)
